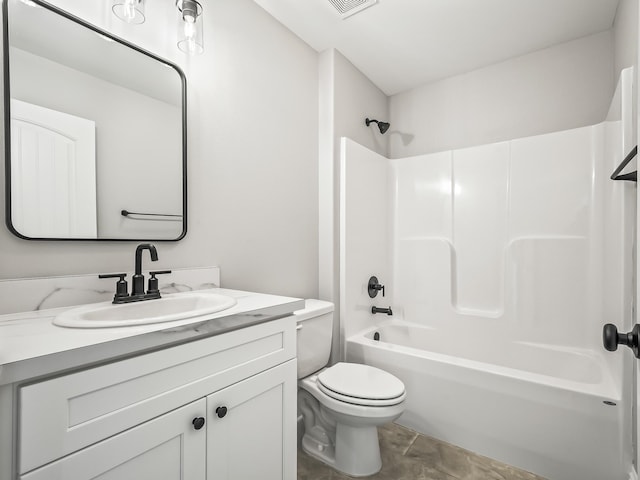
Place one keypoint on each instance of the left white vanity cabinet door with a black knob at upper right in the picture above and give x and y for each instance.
(168, 447)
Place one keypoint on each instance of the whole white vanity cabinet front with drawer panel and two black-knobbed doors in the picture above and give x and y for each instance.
(219, 408)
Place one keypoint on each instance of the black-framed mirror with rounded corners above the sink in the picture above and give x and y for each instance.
(94, 128)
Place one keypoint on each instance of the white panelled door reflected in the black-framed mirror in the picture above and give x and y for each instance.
(53, 173)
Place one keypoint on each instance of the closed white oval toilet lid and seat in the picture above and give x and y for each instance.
(361, 385)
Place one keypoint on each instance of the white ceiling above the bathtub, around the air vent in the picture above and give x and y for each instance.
(401, 44)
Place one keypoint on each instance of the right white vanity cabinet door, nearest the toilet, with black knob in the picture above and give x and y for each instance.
(251, 427)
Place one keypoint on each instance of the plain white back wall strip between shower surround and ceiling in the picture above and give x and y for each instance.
(558, 88)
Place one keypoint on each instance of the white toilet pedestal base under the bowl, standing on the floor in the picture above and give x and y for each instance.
(356, 451)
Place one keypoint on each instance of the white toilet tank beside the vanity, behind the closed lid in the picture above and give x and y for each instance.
(313, 336)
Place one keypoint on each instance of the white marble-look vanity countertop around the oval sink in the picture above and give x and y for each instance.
(31, 346)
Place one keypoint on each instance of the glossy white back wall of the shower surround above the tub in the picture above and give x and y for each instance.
(500, 237)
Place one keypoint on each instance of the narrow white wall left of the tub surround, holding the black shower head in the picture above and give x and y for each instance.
(346, 98)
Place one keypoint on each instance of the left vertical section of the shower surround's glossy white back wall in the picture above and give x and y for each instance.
(422, 229)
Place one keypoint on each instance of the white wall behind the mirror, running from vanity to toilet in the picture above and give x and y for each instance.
(252, 166)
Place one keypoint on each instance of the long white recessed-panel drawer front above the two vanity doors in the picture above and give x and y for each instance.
(64, 414)
